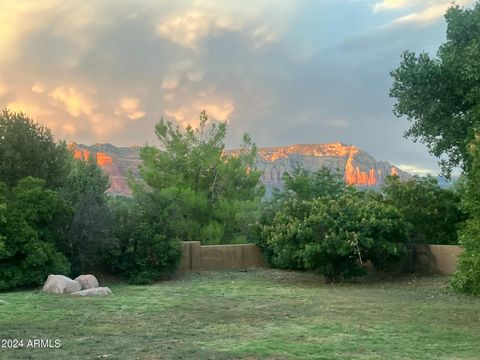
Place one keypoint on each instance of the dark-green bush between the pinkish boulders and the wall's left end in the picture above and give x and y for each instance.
(143, 252)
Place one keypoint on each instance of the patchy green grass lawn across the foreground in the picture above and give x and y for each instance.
(259, 314)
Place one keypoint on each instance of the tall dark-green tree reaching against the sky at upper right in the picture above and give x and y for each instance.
(440, 95)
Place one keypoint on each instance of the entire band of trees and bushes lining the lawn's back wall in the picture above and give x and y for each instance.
(55, 215)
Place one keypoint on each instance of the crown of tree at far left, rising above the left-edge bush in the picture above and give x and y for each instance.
(29, 149)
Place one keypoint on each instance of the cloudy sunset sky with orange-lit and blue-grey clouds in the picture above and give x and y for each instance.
(284, 71)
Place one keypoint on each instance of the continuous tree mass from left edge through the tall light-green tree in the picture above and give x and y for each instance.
(55, 215)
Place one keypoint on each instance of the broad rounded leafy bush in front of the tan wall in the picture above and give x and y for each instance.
(333, 234)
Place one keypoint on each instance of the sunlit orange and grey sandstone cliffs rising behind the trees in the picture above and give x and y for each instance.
(357, 167)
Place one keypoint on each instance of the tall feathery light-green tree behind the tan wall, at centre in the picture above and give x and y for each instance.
(204, 193)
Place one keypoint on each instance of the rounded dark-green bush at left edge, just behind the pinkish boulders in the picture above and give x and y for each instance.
(33, 220)
